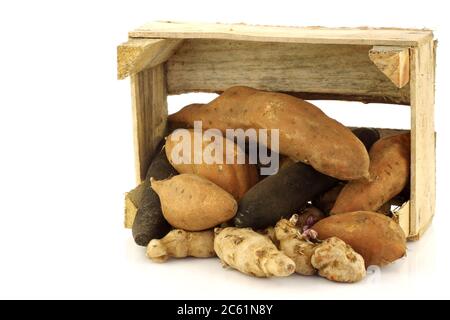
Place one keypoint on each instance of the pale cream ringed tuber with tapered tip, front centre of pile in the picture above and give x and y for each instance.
(251, 253)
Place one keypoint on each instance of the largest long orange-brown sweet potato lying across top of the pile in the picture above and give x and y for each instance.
(306, 134)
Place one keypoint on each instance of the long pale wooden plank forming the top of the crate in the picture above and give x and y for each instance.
(357, 36)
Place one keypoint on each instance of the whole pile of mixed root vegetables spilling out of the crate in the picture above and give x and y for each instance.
(323, 213)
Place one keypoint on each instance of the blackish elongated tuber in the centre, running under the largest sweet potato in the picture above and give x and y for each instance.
(280, 195)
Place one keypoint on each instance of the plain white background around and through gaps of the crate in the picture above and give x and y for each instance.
(66, 153)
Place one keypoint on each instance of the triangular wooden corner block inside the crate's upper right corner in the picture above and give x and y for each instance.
(393, 62)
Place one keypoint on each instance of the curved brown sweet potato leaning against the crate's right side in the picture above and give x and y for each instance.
(389, 173)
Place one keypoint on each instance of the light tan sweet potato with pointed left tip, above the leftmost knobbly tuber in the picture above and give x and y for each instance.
(193, 203)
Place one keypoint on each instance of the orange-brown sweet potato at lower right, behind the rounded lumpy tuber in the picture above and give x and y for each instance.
(374, 236)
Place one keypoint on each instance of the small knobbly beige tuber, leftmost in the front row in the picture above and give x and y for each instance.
(180, 244)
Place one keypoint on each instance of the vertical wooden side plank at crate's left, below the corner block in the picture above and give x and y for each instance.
(149, 100)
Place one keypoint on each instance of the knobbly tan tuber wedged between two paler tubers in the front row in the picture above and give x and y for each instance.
(295, 246)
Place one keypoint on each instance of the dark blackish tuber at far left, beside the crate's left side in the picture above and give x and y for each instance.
(149, 222)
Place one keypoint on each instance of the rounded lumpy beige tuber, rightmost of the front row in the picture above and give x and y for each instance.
(337, 261)
